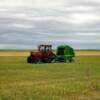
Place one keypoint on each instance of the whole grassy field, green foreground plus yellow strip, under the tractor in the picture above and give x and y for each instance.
(79, 80)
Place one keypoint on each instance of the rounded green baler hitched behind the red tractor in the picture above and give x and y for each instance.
(65, 53)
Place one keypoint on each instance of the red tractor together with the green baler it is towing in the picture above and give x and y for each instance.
(45, 54)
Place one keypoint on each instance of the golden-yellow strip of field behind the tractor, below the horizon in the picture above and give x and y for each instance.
(27, 52)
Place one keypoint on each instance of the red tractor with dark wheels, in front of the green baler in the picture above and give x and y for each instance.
(44, 54)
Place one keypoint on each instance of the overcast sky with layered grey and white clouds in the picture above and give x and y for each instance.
(28, 23)
